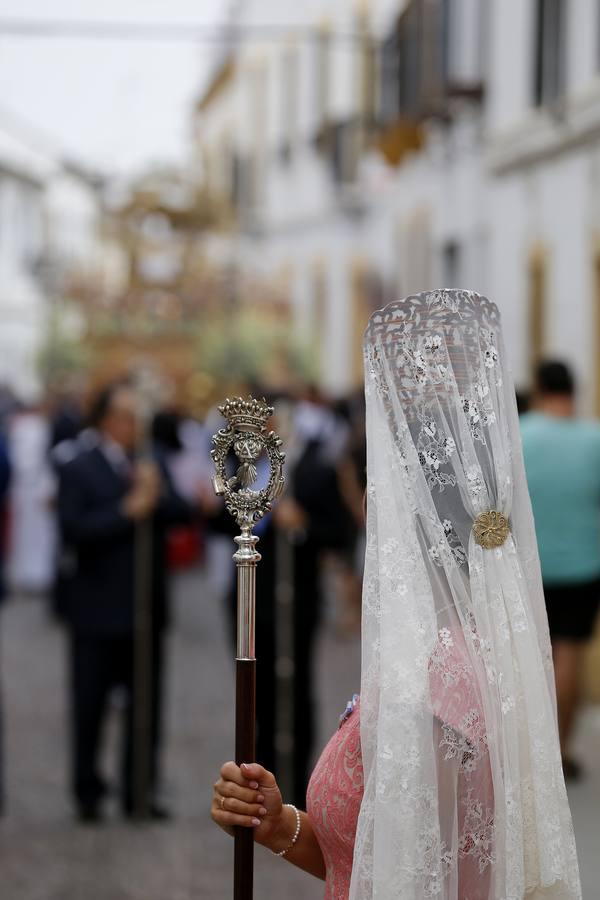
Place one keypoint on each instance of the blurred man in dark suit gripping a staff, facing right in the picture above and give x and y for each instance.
(105, 498)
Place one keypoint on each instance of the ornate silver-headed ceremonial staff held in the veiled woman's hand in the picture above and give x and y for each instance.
(246, 436)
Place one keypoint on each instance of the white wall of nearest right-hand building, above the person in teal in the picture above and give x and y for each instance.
(548, 195)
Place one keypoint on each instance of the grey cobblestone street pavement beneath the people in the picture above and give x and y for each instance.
(44, 855)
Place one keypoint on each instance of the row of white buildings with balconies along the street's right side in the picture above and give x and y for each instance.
(386, 147)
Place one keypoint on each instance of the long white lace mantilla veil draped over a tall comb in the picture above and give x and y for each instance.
(464, 794)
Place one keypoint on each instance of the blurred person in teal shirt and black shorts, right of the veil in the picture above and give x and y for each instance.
(562, 460)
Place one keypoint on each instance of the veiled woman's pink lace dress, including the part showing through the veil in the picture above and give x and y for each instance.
(335, 790)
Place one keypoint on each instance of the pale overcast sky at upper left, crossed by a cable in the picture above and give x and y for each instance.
(118, 106)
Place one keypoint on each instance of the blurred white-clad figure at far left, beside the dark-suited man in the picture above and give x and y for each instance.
(33, 533)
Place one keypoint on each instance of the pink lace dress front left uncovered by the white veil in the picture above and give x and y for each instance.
(333, 803)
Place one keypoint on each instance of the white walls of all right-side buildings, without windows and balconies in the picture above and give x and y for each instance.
(500, 180)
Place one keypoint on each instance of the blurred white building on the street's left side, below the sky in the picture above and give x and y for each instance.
(50, 232)
